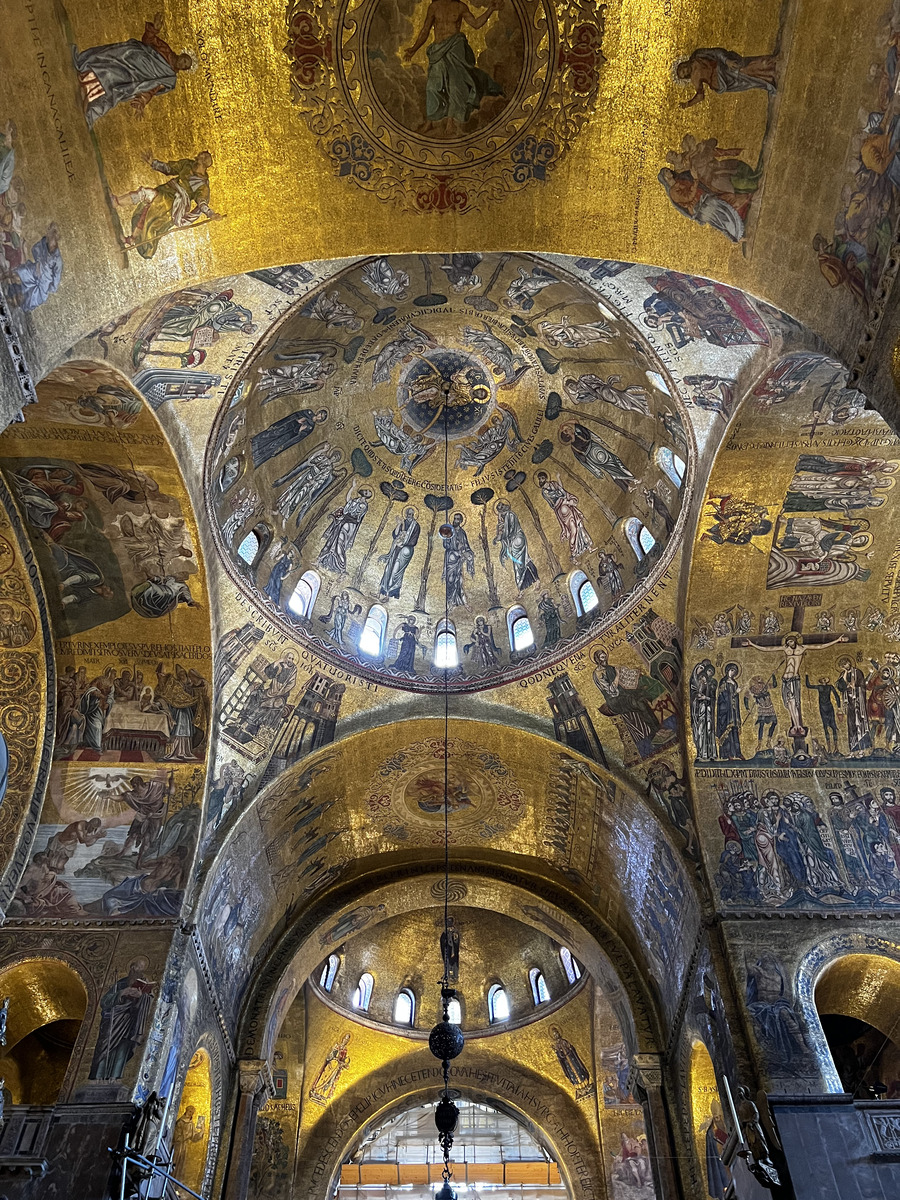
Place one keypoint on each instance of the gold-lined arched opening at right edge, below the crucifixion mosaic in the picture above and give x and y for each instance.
(859, 1004)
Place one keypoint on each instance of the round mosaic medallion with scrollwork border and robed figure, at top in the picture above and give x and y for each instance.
(440, 106)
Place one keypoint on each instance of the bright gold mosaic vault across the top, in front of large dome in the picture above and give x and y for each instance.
(665, 134)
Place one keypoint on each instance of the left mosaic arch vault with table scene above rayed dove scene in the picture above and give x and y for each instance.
(113, 536)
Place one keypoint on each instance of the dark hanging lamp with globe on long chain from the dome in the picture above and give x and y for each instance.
(446, 1041)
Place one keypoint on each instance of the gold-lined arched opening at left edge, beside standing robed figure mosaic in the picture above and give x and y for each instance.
(46, 1010)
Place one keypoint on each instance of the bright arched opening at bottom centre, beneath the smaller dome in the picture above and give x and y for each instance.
(493, 1150)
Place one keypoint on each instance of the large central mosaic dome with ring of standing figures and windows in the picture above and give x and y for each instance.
(509, 447)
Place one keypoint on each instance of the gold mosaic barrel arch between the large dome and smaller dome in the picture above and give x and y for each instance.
(358, 809)
